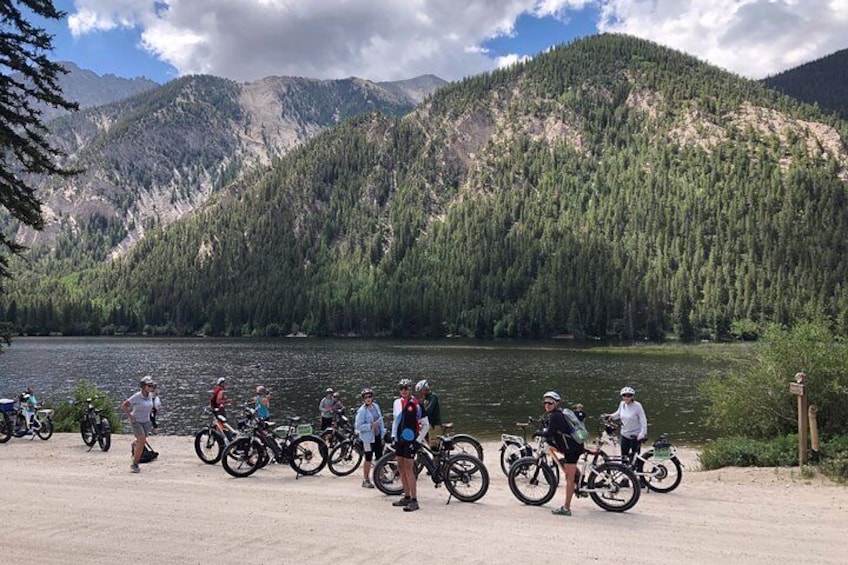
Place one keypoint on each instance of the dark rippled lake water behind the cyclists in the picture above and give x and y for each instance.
(484, 387)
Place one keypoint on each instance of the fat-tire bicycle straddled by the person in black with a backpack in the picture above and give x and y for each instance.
(611, 485)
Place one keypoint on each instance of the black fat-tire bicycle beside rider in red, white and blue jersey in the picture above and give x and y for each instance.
(465, 476)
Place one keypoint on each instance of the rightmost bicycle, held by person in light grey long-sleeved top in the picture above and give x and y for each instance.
(658, 468)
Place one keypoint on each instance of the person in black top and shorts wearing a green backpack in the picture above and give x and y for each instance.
(563, 433)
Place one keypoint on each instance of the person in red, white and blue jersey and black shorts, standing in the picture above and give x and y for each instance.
(409, 428)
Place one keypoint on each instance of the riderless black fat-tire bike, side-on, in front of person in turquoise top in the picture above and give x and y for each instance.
(293, 444)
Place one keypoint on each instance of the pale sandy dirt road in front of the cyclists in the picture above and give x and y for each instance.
(66, 505)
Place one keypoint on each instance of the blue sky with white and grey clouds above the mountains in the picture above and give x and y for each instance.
(380, 40)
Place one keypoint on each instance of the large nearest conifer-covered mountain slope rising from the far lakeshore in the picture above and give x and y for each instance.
(610, 188)
